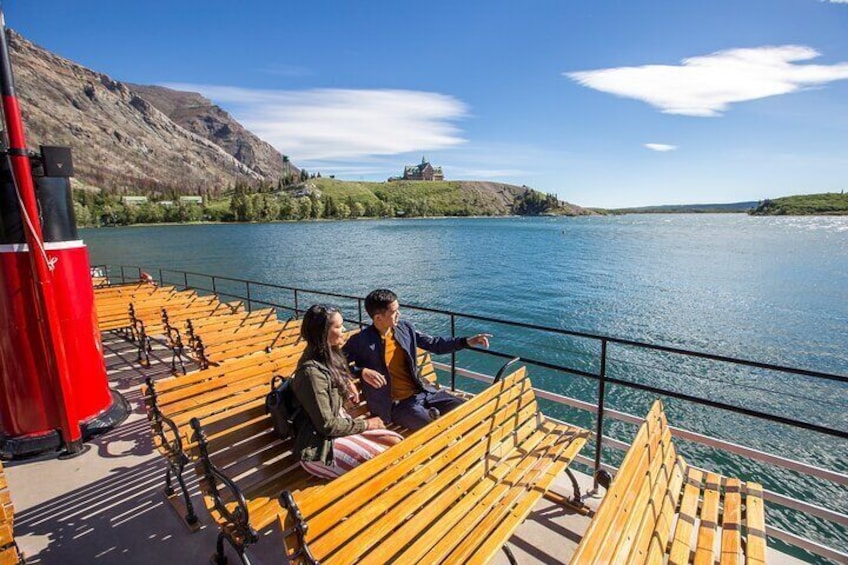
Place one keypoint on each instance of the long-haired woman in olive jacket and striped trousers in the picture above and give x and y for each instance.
(330, 442)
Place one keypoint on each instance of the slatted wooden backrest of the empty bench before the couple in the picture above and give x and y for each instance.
(387, 502)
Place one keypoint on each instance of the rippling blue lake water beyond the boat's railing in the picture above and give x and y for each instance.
(769, 289)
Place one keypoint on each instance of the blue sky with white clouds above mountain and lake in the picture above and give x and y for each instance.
(604, 103)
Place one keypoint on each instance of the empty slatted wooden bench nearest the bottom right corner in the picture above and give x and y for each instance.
(659, 509)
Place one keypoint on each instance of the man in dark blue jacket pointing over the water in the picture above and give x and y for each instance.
(384, 355)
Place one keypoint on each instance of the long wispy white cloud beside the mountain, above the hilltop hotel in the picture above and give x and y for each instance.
(342, 123)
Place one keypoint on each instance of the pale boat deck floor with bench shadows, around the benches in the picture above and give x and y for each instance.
(107, 506)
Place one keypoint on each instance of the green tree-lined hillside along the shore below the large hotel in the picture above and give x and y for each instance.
(331, 199)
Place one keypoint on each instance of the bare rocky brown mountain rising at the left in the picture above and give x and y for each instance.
(122, 141)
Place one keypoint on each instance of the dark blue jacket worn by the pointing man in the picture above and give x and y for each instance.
(365, 350)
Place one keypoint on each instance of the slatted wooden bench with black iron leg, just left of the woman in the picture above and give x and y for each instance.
(171, 404)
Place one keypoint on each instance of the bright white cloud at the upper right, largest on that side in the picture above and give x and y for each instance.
(706, 86)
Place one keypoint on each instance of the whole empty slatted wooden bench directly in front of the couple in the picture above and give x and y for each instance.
(452, 492)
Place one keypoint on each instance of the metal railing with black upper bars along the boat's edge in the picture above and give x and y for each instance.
(603, 380)
